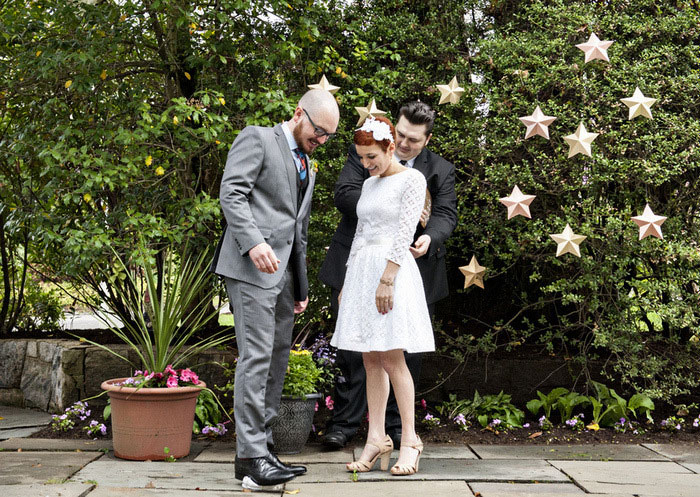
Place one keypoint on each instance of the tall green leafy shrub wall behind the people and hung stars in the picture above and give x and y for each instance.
(117, 116)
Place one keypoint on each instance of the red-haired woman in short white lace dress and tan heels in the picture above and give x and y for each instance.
(382, 309)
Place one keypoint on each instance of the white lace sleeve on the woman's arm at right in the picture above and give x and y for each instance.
(412, 200)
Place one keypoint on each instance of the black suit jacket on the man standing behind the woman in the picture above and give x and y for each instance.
(440, 177)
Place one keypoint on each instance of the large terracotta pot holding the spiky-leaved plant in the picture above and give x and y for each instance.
(147, 420)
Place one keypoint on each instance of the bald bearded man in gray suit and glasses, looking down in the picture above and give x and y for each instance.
(266, 199)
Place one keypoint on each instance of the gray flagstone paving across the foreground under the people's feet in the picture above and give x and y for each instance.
(80, 468)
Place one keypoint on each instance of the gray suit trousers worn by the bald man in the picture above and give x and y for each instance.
(264, 320)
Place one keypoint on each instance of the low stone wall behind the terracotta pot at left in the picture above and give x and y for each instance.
(52, 374)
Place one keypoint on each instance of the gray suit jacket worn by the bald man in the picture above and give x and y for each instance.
(259, 200)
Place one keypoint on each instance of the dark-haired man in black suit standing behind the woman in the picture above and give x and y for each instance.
(413, 131)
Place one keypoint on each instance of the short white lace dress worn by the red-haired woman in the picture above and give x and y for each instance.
(388, 212)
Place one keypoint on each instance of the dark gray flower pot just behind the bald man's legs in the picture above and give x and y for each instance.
(293, 425)
